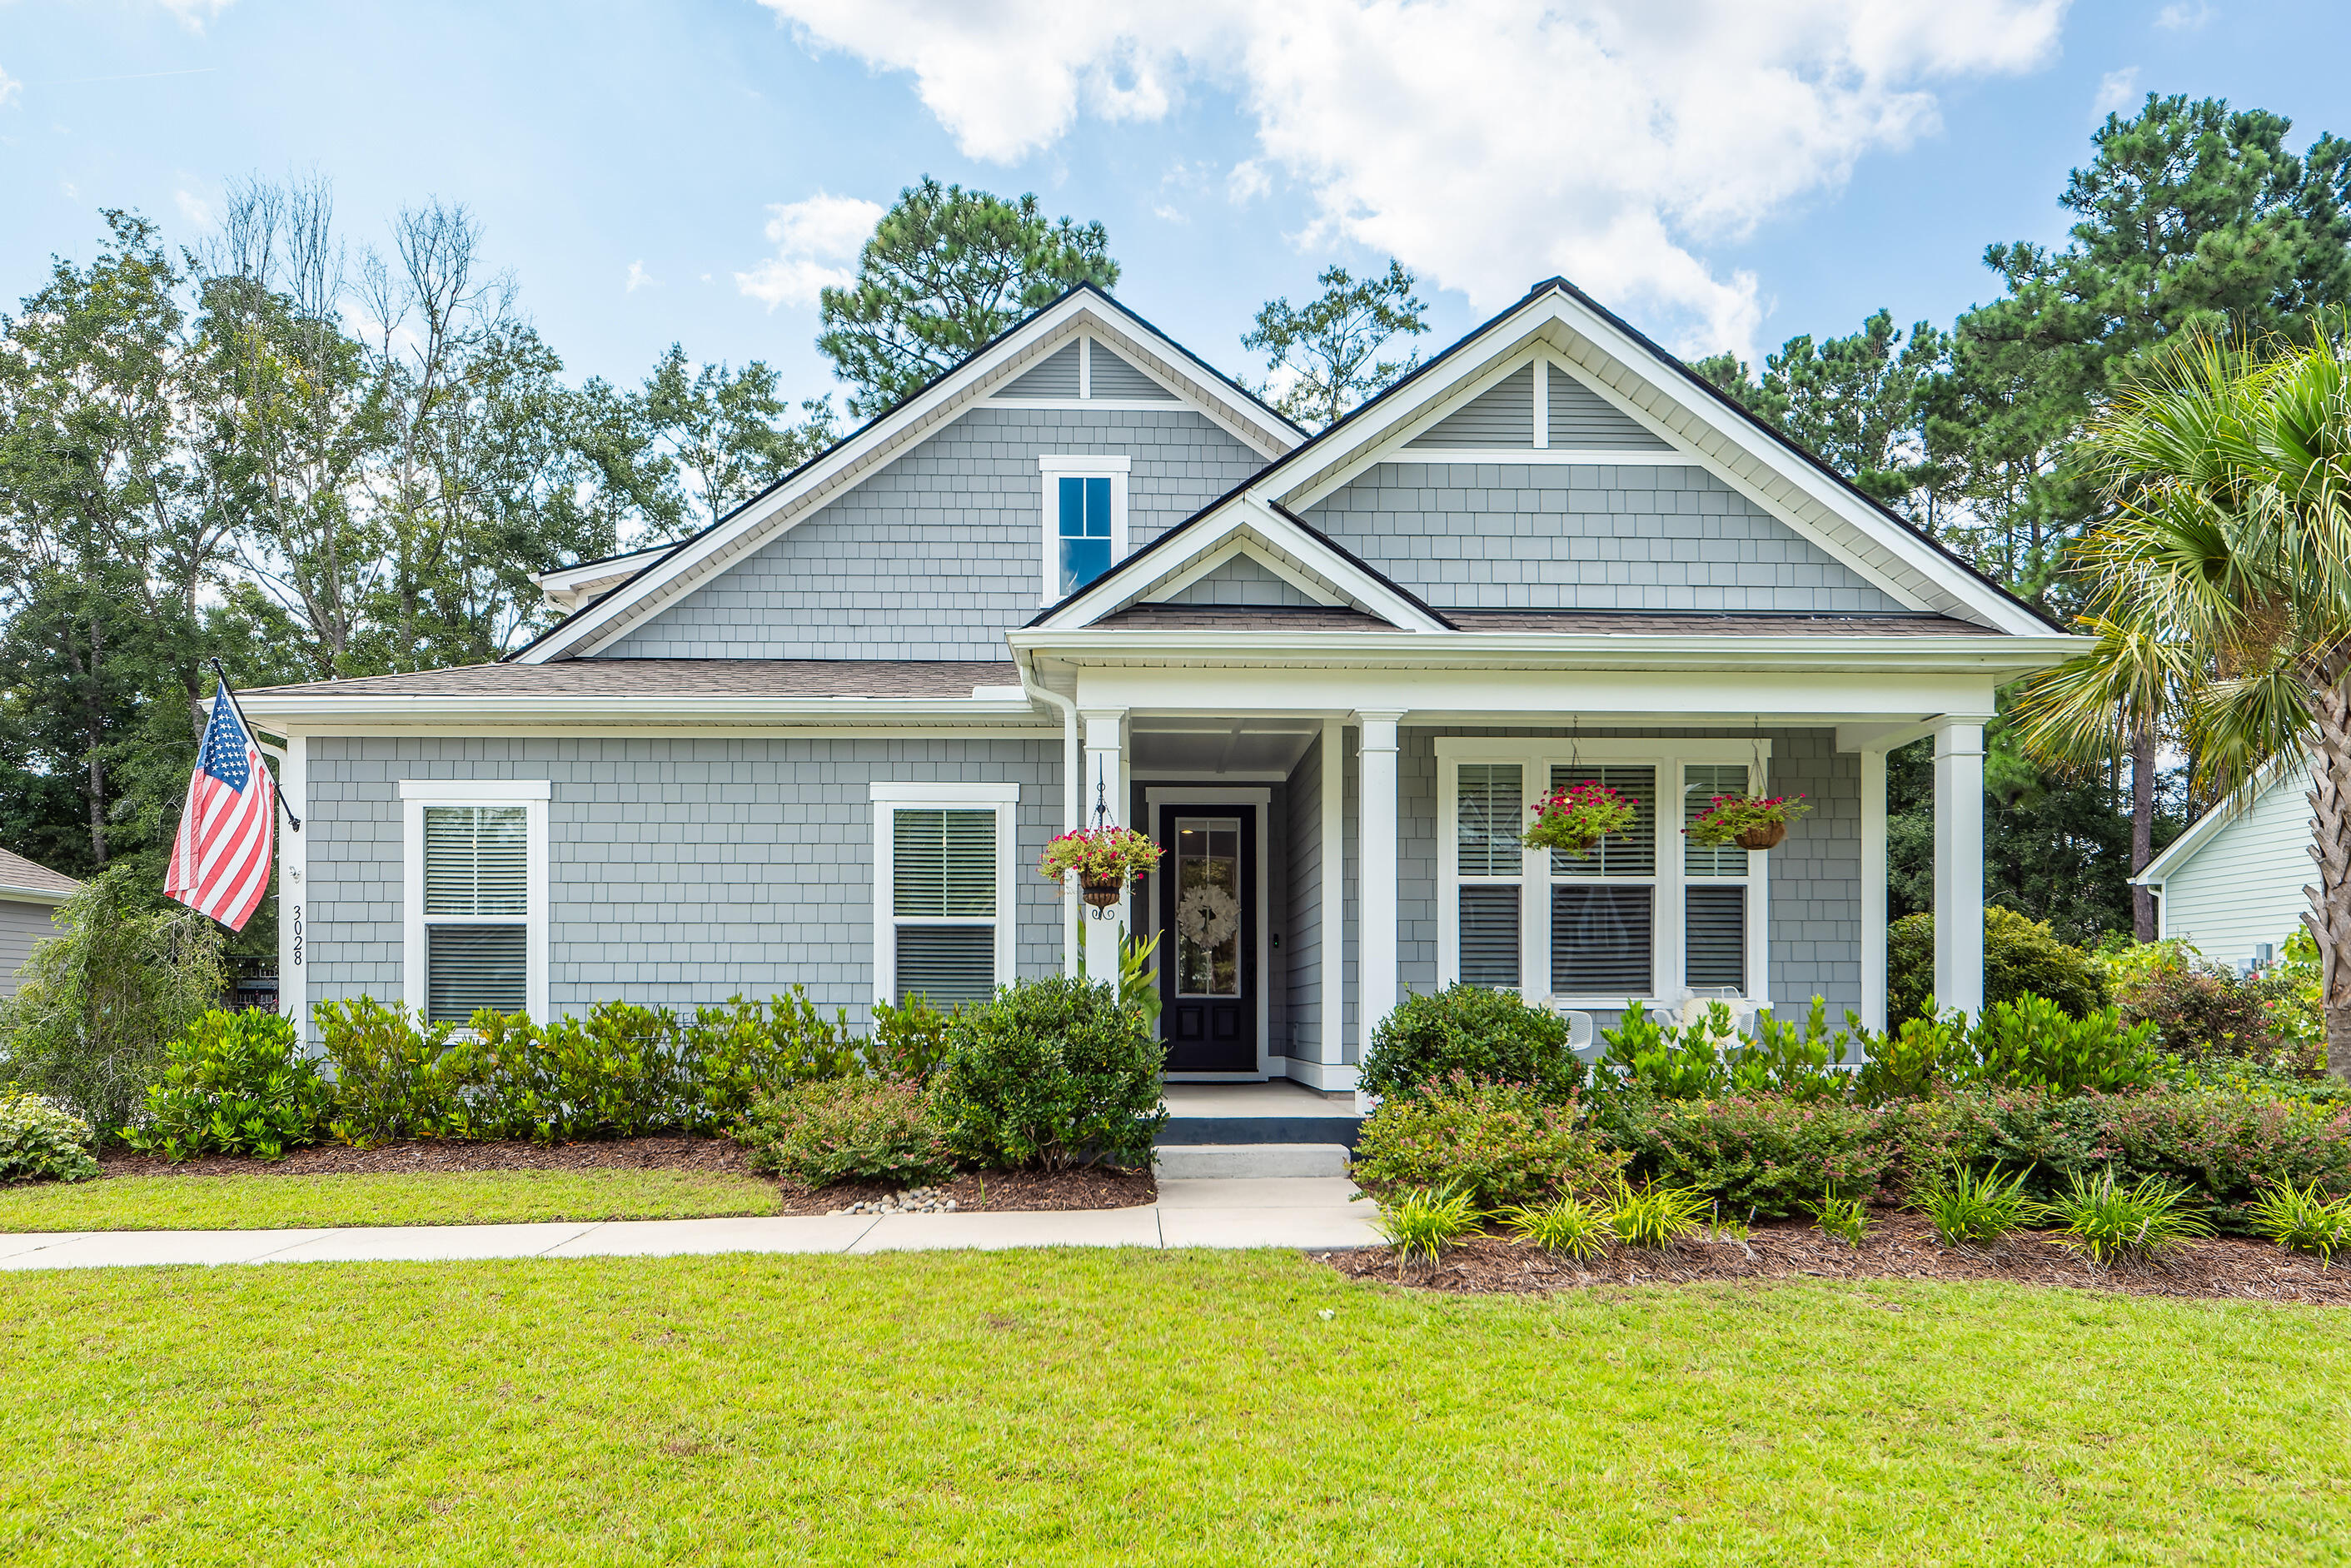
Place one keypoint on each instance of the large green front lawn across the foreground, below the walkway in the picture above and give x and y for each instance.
(1120, 1407)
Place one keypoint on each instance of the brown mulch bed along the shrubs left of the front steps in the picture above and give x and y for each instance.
(972, 1193)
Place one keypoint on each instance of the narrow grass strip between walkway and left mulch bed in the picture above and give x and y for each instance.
(474, 1198)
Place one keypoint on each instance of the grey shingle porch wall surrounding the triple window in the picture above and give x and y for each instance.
(1816, 878)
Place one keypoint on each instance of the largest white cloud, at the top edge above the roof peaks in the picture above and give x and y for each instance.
(1482, 142)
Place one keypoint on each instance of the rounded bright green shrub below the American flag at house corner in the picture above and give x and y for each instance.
(234, 1085)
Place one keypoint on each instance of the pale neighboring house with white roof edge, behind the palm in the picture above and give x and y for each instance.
(2232, 883)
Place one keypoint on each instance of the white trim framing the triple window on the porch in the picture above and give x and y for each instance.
(1539, 758)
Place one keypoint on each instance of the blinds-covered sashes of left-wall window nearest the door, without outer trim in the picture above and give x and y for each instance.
(944, 904)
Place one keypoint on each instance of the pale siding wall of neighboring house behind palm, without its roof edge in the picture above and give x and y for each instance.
(2244, 885)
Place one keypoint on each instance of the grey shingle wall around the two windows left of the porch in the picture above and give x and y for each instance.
(681, 869)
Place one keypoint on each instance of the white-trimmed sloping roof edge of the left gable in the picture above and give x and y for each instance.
(1019, 349)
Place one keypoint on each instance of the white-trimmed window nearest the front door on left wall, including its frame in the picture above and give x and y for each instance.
(944, 892)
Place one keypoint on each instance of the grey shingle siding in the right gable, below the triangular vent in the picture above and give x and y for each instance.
(1583, 537)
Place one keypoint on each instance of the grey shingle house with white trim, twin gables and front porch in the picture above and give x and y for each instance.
(1087, 579)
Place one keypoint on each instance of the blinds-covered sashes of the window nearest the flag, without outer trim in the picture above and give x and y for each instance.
(478, 897)
